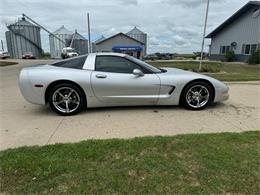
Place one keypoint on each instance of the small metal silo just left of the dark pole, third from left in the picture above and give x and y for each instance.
(78, 42)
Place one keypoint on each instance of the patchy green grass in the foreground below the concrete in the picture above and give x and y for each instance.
(185, 164)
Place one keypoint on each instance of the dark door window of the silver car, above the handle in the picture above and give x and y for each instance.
(114, 64)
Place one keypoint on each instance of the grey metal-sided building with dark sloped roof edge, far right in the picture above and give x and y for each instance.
(240, 33)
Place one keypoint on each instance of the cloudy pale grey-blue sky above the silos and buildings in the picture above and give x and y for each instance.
(174, 26)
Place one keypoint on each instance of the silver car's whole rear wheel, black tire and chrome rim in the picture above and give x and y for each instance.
(75, 99)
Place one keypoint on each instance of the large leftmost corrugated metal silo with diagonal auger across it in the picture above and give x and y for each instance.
(23, 37)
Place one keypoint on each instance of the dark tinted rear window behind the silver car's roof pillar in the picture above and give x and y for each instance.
(76, 62)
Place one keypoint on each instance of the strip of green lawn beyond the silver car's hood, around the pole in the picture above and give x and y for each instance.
(223, 71)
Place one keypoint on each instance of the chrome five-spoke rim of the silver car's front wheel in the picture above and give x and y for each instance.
(197, 96)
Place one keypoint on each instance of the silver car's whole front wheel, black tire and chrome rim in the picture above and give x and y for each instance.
(197, 95)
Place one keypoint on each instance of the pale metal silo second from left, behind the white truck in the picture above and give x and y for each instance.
(56, 45)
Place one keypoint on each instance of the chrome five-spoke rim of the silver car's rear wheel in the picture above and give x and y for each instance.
(66, 100)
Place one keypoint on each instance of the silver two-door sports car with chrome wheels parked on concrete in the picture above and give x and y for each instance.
(113, 79)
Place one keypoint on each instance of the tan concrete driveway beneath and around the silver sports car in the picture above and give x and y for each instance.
(26, 124)
